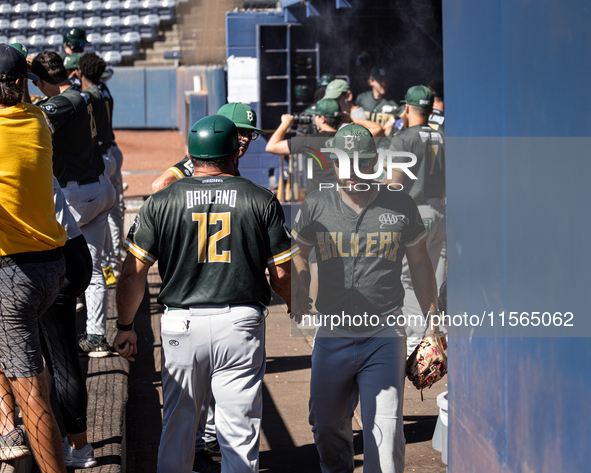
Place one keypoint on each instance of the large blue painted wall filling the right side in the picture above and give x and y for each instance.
(517, 144)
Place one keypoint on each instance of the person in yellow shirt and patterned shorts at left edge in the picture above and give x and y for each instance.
(32, 265)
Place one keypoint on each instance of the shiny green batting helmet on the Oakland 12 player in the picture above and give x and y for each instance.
(213, 137)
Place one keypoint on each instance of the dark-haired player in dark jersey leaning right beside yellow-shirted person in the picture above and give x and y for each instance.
(79, 168)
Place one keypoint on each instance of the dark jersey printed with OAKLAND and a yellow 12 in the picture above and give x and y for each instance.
(213, 238)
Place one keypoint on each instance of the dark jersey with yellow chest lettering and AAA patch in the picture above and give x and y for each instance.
(359, 257)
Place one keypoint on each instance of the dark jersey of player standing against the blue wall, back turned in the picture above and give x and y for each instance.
(428, 146)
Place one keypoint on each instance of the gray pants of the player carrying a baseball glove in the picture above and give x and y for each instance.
(346, 367)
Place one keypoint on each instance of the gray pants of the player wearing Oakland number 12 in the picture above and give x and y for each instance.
(219, 349)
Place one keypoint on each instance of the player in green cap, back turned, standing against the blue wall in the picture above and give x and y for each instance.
(428, 190)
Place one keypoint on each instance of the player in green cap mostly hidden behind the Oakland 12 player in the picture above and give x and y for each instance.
(245, 119)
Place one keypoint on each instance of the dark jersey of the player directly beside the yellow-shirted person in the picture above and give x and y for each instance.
(76, 154)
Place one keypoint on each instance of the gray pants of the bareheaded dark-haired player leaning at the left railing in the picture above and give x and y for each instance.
(90, 204)
